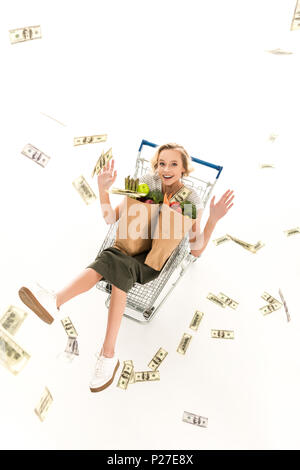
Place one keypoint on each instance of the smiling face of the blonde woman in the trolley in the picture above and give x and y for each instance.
(169, 166)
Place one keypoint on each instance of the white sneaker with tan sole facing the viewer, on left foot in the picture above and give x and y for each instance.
(40, 300)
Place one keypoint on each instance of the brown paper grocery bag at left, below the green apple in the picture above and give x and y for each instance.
(137, 222)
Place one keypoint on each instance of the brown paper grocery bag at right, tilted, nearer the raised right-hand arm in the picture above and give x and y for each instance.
(170, 230)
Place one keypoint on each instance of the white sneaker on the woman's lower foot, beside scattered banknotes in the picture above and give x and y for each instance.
(104, 374)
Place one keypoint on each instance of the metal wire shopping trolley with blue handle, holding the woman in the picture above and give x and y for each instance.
(144, 300)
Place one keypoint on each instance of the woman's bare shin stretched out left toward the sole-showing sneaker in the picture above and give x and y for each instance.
(82, 283)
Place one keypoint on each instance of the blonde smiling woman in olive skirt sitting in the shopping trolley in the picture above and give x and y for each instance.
(169, 164)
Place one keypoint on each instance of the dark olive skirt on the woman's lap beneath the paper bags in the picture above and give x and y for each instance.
(121, 270)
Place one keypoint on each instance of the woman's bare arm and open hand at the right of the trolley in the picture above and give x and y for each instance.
(199, 242)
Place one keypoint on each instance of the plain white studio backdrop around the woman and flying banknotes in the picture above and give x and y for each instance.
(196, 73)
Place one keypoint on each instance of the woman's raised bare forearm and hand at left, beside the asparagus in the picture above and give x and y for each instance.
(106, 178)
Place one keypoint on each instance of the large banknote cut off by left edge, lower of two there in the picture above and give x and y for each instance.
(12, 356)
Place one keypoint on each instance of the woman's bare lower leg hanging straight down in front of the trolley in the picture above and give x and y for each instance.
(115, 313)
